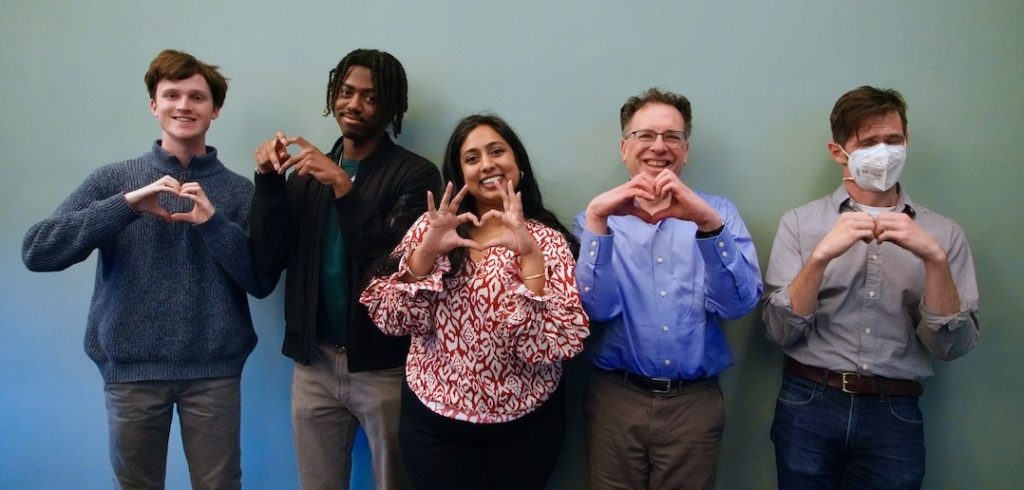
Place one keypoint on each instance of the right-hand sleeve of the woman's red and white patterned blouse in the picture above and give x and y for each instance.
(552, 327)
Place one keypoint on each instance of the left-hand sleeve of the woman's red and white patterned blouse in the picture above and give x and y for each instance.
(399, 308)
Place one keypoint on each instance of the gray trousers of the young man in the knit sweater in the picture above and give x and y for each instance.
(140, 419)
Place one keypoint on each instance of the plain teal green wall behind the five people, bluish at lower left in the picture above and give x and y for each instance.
(762, 76)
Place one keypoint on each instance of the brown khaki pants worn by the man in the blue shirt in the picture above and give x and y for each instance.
(639, 440)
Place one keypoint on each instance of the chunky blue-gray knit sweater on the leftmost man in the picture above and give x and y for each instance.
(170, 299)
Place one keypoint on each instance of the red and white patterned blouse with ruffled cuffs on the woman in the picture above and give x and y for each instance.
(486, 349)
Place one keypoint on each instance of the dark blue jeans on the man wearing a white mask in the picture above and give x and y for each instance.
(827, 439)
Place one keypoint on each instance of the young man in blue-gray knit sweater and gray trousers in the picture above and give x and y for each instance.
(169, 323)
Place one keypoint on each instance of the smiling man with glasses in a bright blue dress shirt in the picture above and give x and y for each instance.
(661, 265)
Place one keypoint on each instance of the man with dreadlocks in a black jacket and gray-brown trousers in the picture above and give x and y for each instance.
(327, 225)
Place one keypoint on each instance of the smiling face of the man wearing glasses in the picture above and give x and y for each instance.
(655, 157)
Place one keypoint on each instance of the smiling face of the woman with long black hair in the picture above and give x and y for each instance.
(488, 162)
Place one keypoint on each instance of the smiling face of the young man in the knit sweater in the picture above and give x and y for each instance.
(185, 109)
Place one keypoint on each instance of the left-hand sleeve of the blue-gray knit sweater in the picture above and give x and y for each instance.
(93, 215)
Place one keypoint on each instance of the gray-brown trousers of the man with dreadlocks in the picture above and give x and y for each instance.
(329, 406)
